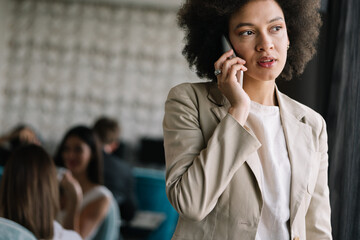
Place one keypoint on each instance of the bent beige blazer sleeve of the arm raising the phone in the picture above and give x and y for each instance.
(197, 172)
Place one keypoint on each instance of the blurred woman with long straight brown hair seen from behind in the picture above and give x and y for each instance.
(29, 193)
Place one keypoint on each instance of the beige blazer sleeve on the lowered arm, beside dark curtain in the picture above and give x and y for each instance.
(318, 223)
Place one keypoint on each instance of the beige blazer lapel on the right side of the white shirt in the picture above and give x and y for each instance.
(300, 149)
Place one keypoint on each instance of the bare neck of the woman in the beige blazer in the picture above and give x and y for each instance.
(261, 92)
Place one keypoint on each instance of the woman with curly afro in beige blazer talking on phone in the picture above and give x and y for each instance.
(246, 162)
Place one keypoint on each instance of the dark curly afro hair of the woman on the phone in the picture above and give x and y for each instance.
(204, 22)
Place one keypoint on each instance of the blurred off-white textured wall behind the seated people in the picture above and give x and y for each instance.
(69, 62)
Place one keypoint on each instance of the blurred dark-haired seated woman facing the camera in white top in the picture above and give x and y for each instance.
(86, 210)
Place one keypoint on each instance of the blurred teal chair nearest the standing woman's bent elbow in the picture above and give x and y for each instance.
(151, 196)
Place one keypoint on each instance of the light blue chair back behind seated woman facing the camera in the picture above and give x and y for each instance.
(110, 227)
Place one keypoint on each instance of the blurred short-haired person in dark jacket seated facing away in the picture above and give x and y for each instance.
(117, 173)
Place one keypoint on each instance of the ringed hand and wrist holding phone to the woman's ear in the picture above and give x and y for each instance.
(229, 84)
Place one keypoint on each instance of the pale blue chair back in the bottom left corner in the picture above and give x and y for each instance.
(14, 231)
